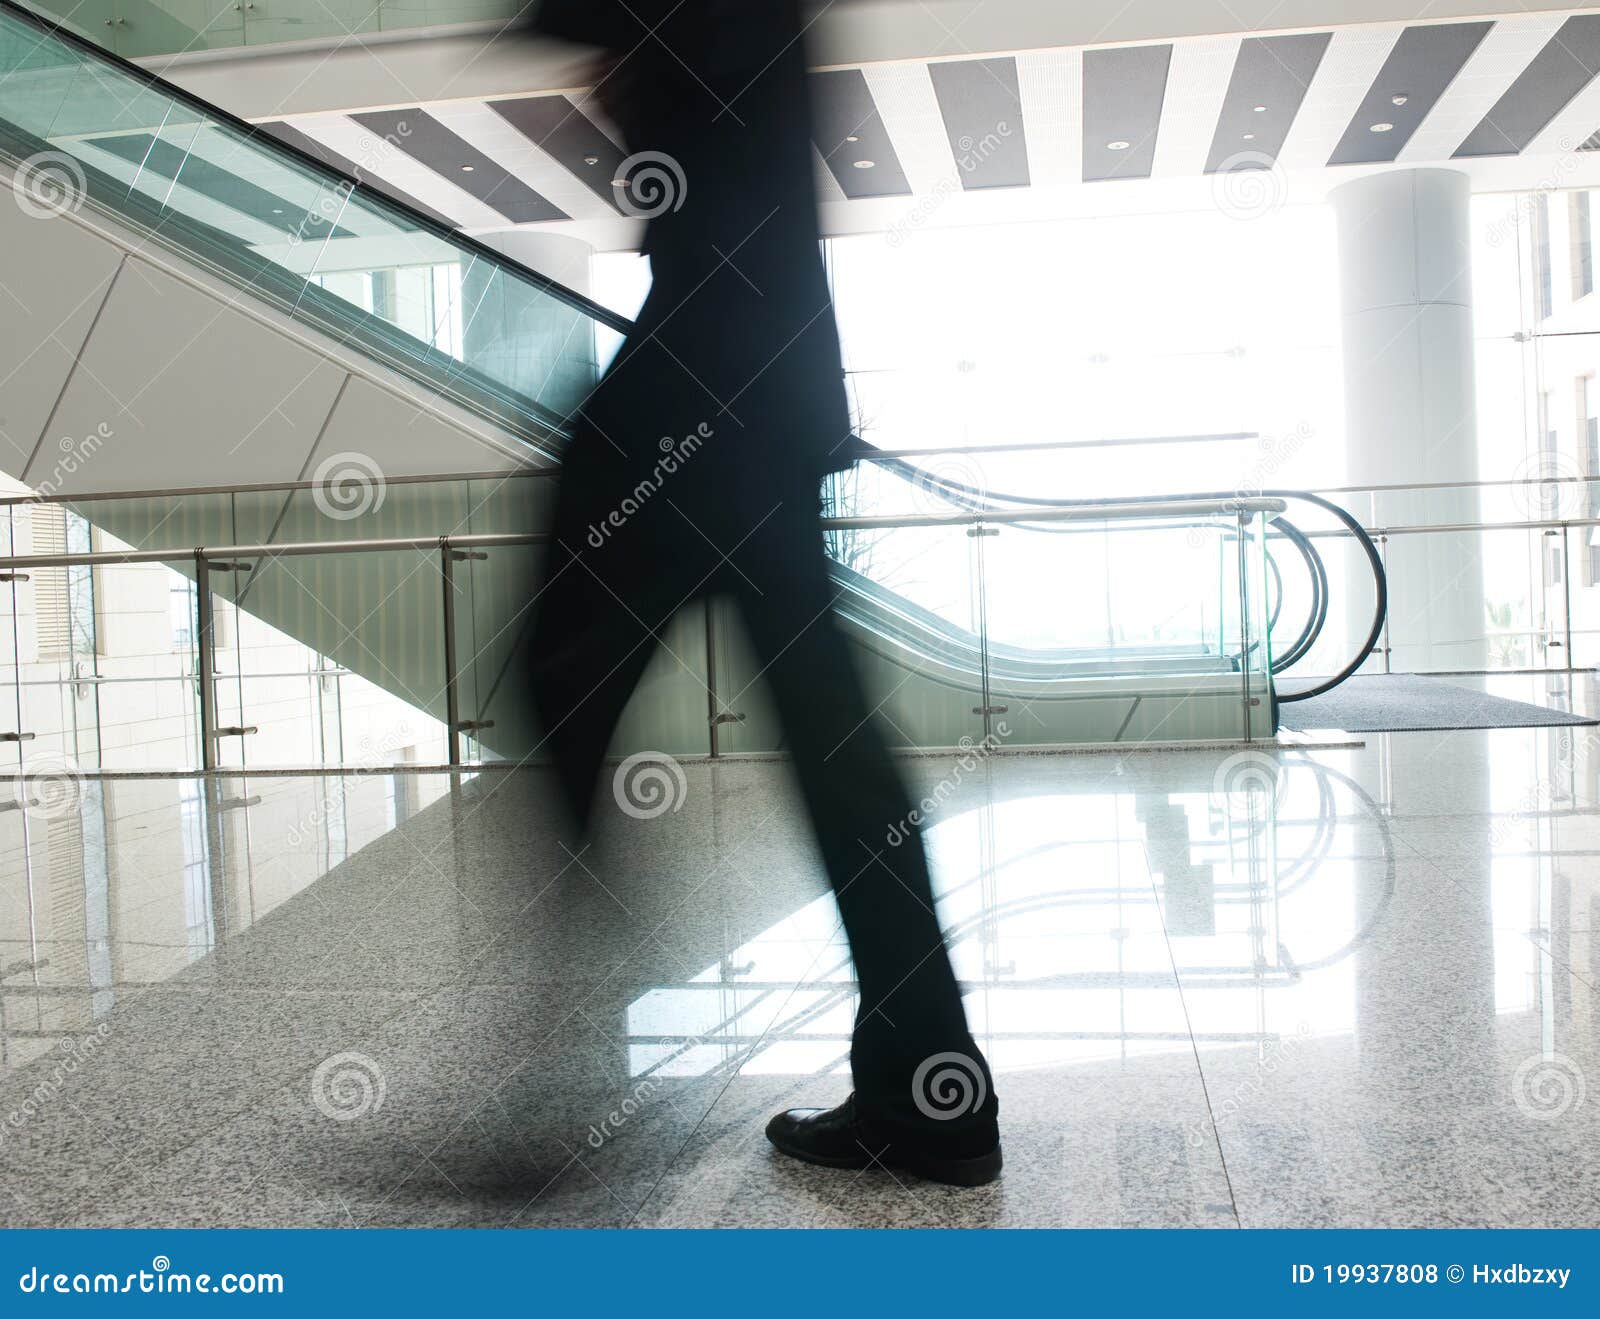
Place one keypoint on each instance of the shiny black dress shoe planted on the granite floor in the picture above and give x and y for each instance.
(841, 1139)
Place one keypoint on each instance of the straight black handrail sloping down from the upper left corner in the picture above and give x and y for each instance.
(273, 145)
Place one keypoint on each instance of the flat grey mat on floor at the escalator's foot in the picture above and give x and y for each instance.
(1402, 704)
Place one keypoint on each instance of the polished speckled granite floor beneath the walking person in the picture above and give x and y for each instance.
(1348, 987)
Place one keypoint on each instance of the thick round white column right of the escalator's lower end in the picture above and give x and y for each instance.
(1410, 403)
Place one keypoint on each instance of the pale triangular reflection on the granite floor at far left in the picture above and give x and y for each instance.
(113, 886)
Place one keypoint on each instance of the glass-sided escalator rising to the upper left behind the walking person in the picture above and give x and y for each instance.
(318, 316)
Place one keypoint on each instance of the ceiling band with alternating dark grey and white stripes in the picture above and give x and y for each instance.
(1370, 95)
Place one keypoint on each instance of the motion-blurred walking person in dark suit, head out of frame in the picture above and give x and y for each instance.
(735, 366)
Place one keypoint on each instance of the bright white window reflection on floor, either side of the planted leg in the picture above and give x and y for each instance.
(1074, 916)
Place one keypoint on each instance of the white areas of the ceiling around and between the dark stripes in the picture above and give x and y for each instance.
(1050, 82)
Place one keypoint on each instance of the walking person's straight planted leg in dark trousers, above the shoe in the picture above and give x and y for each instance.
(918, 1068)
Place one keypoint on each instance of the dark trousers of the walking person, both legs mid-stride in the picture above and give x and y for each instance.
(759, 542)
